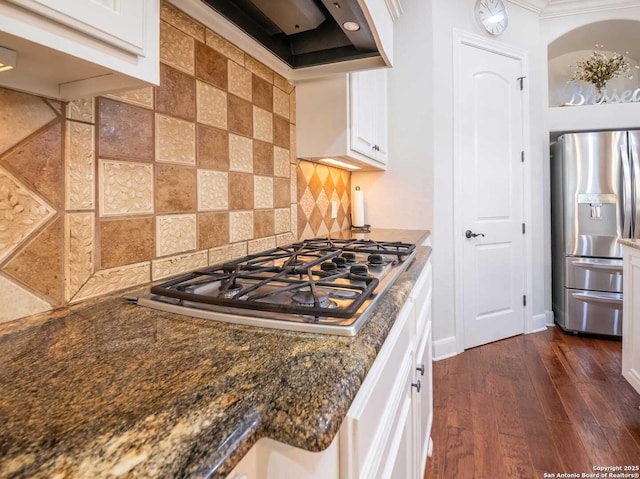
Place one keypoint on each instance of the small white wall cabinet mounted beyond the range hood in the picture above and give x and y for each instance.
(344, 117)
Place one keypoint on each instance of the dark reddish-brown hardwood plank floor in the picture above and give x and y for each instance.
(546, 402)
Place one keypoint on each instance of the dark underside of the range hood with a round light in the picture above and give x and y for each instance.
(303, 33)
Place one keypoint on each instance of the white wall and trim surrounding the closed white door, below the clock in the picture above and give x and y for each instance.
(523, 32)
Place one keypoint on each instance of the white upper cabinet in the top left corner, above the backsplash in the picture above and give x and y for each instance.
(68, 49)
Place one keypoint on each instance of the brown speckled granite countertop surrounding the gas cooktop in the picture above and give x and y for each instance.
(109, 388)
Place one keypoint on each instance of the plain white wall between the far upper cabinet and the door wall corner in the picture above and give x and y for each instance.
(402, 197)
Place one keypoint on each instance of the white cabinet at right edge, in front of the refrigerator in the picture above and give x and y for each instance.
(631, 317)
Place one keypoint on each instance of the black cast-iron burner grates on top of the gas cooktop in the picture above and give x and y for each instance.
(260, 281)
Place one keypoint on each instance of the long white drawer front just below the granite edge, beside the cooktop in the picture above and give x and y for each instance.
(370, 419)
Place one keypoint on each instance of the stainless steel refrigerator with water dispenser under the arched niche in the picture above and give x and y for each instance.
(595, 199)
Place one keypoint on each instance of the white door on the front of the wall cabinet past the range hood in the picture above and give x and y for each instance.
(364, 88)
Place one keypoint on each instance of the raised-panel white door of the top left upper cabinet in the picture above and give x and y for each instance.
(119, 23)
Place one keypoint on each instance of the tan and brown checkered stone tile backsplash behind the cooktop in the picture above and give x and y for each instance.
(105, 193)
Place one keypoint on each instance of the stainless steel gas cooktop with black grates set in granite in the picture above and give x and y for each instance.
(319, 285)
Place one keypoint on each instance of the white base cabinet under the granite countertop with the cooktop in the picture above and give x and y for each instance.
(386, 433)
